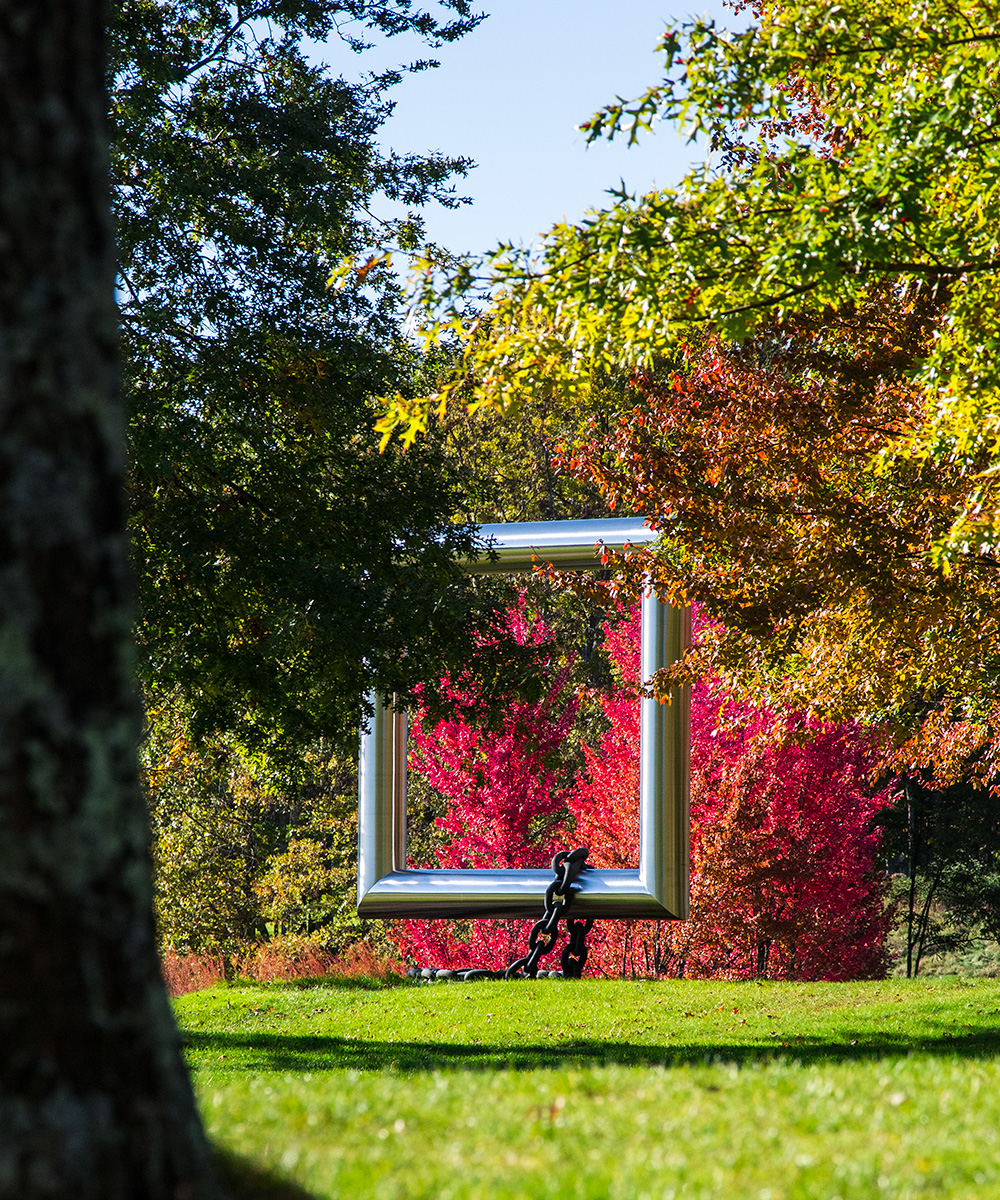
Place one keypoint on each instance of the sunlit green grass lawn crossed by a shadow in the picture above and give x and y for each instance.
(600, 1089)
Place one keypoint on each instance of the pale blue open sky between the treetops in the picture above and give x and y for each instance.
(511, 94)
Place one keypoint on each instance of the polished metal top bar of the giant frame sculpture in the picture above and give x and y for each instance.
(572, 545)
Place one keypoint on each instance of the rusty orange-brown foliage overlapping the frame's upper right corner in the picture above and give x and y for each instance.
(757, 464)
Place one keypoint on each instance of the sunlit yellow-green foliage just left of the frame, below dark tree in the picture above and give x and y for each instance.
(243, 857)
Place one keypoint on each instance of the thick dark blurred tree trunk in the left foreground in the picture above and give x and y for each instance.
(94, 1097)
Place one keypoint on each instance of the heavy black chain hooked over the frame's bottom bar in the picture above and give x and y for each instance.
(544, 933)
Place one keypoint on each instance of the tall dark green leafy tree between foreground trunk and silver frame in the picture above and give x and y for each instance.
(284, 566)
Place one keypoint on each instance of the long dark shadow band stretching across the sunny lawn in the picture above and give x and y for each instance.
(272, 1052)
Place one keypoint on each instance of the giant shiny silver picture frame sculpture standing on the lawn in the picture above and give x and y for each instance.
(660, 887)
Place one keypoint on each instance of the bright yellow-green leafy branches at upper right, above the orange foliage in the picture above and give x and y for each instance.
(854, 145)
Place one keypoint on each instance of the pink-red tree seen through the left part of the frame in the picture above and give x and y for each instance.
(506, 803)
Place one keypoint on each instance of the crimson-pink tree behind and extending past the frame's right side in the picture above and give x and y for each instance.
(783, 848)
